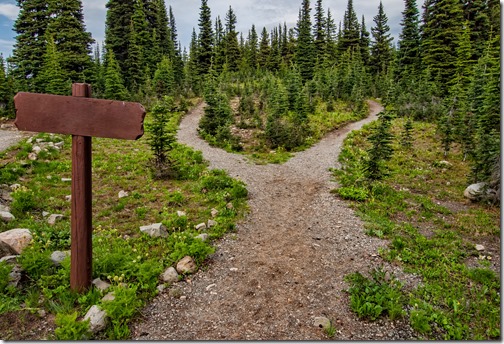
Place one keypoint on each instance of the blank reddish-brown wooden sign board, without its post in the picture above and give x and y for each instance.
(79, 116)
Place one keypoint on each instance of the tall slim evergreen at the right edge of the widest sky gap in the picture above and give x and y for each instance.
(304, 56)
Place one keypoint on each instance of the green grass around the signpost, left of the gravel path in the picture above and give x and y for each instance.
(121, 253)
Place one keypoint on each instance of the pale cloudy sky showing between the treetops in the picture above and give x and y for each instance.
(266, 13)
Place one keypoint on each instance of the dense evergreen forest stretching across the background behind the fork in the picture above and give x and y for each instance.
(445, 67)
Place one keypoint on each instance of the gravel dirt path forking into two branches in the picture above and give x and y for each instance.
(286, 264)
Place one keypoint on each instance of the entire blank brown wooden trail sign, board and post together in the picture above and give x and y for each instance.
(83, 118)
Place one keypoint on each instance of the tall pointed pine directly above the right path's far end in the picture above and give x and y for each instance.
(381, 48)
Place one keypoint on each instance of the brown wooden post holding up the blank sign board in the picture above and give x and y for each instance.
(81, 222)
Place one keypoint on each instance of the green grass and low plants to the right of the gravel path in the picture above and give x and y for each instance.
(431, 230)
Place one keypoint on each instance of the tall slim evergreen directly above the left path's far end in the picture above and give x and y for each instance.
(205, 39)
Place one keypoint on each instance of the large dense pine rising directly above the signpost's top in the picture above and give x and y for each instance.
(72, 41)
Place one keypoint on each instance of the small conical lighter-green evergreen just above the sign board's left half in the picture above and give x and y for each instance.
(53, 79)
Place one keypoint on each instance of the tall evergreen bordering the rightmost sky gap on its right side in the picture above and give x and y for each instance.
(409, 41)
